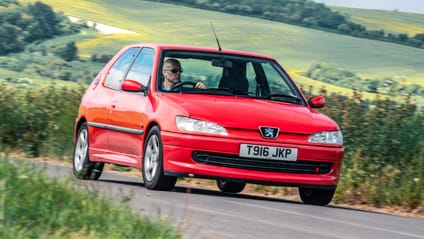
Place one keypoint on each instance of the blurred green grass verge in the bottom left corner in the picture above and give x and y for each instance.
(35, 206)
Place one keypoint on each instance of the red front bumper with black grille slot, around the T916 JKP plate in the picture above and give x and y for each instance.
(217, 157)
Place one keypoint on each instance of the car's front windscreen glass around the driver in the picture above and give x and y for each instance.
(225, 74)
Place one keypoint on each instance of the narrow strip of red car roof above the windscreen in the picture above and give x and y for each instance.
(162, 46)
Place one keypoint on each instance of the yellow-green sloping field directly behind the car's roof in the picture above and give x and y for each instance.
(296, 48)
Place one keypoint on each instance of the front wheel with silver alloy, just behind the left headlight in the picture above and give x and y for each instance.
(153, 175)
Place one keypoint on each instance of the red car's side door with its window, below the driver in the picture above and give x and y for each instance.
(129, 113)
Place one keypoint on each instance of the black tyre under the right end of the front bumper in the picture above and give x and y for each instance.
(320, 197)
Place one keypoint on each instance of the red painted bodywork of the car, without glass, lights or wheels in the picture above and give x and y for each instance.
(241, 117)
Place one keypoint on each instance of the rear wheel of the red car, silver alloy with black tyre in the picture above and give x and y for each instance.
(81, 165)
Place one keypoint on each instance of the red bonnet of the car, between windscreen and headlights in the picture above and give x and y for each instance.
(250, 113)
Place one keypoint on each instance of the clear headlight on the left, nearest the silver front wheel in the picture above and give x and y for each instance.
(199, 126)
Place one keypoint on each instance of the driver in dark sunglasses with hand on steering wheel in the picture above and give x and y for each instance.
(171, 74)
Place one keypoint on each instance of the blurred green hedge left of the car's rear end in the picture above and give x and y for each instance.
(39, 120)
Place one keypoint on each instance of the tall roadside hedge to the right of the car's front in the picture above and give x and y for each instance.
(384, 153)
